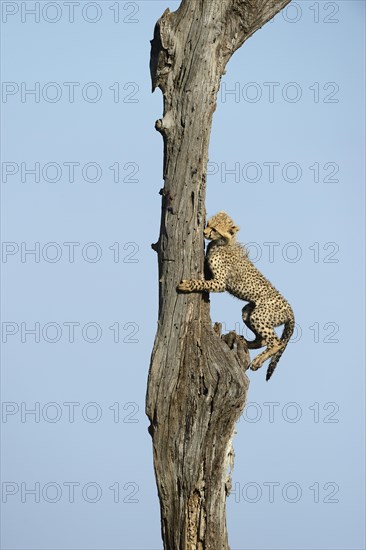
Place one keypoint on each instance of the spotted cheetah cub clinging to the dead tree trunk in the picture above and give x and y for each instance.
(232, 271)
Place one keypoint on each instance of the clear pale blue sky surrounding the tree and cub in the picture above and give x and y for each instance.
(286, 162)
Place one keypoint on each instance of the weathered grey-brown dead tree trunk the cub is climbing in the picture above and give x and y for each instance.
(197, 384)
